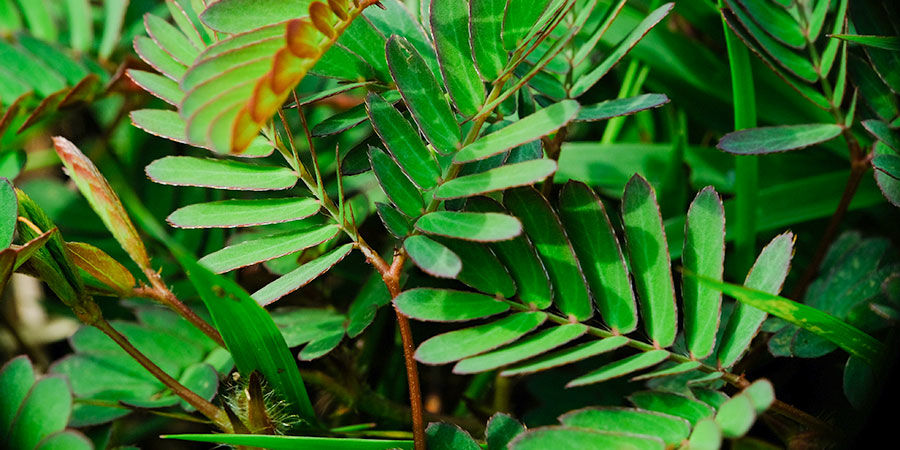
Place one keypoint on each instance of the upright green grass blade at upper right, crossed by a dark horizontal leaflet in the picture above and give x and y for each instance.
(747, 167)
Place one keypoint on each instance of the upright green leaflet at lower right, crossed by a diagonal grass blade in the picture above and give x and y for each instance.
(767, 275)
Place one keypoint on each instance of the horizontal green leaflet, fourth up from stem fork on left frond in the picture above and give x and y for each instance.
(219, 174)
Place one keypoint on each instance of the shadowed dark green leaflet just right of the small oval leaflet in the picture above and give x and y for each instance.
(480, 268)
